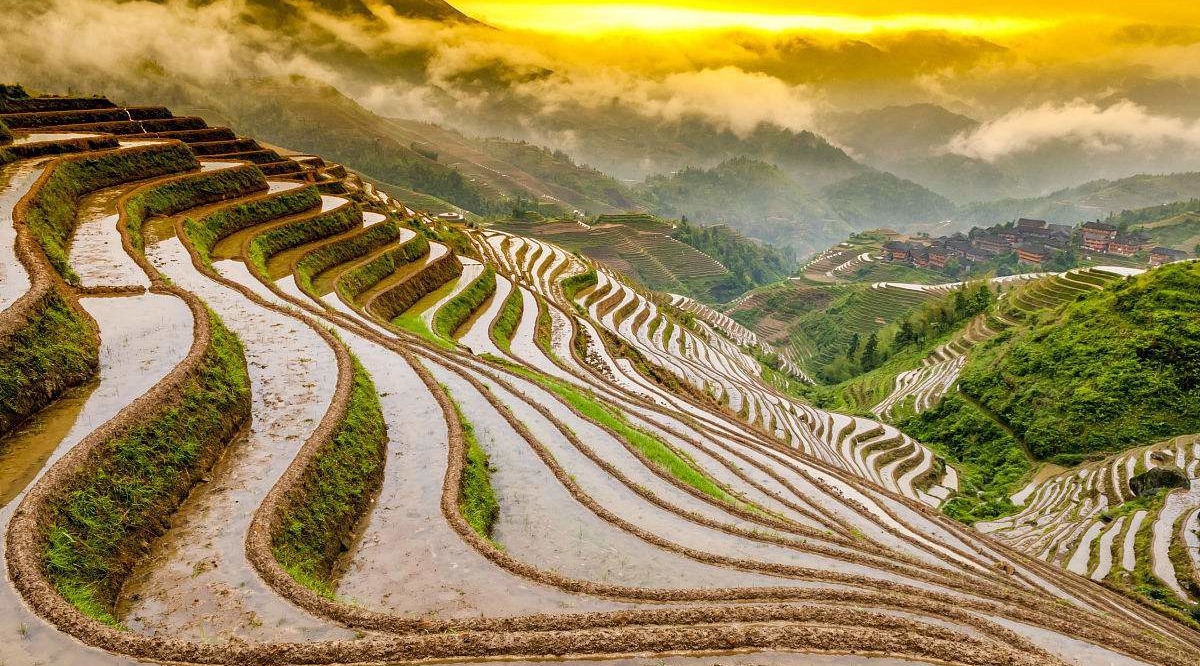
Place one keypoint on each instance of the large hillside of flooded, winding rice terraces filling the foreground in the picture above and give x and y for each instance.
(304, 430)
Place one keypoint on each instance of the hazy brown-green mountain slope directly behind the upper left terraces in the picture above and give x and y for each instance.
(482, 176)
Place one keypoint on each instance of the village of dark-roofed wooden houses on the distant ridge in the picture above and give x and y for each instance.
(1034, 242)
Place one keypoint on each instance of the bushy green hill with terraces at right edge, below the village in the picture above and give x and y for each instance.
(1130, 520)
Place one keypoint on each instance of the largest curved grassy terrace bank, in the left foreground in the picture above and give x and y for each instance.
(118, 503)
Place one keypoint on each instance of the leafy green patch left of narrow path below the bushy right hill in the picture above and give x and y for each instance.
(989, 460)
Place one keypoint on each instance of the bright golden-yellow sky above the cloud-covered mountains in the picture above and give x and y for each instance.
(836, 16)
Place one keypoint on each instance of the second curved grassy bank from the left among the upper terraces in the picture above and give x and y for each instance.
(178, 196)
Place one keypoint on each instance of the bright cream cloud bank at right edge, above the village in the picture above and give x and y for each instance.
(1099, 129)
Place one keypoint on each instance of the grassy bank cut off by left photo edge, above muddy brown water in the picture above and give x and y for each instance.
(57, 350)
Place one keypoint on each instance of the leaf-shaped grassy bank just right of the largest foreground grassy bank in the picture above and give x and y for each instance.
(321, 518)
